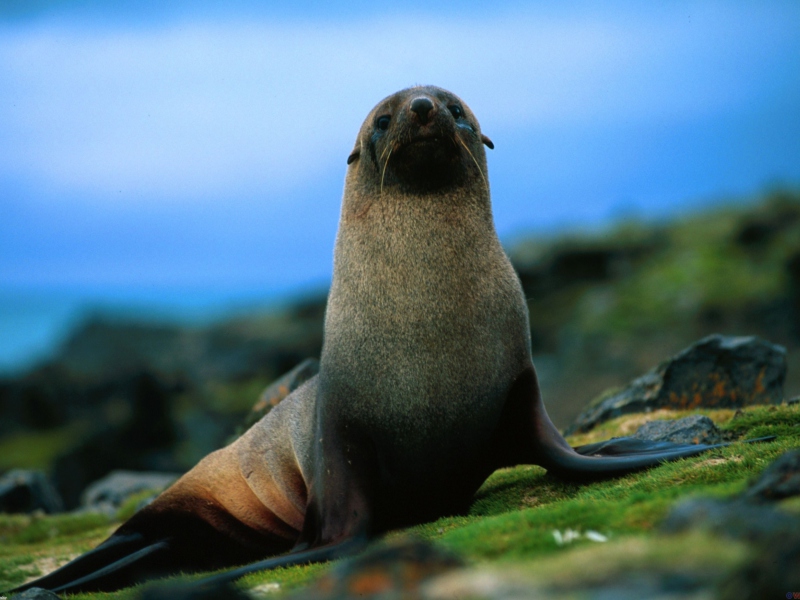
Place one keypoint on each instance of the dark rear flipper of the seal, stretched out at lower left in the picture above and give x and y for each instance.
(118, 562)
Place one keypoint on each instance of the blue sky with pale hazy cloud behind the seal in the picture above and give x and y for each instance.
(203, 145)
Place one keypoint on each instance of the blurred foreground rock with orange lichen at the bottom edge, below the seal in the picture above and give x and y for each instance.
(394, 570)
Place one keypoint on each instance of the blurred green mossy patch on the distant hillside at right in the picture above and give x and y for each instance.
(698, 267)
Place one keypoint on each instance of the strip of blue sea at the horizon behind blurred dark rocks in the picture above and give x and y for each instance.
(34, 322)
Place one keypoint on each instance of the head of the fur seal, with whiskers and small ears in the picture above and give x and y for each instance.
(420, 140)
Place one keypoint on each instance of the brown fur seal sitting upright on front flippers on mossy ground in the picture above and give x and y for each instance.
(426, 383)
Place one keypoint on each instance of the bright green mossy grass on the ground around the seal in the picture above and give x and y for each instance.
(514, 515)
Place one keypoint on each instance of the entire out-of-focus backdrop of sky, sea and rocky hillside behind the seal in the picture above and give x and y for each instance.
(170, 179)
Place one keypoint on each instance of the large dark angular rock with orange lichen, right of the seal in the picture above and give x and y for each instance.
(716, 372)
